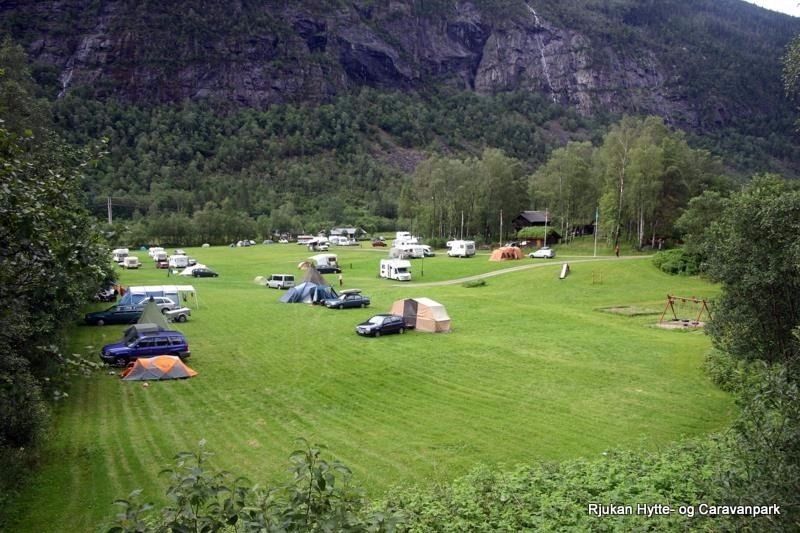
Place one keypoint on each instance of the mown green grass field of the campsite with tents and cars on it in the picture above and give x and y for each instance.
(531, 371)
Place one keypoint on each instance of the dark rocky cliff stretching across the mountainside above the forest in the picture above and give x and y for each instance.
(260, 53)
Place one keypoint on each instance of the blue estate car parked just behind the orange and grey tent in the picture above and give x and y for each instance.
(145, 340)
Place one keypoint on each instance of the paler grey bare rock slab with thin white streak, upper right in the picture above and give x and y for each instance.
(534, 55)
